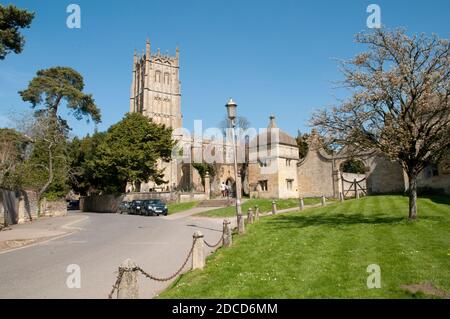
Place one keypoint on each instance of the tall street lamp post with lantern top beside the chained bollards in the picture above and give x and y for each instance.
(231, 111)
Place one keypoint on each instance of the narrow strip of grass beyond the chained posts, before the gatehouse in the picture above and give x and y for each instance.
(265, 205)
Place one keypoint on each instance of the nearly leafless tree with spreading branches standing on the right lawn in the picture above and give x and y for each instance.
(399, 104)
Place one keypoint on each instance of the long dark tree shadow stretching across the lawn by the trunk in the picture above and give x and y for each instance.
(336, 220)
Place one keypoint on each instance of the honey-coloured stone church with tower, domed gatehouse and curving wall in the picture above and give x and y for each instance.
(271, 167)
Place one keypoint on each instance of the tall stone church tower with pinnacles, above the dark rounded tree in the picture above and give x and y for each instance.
(155, 88)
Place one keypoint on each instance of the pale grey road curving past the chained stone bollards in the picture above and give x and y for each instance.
(159, 245)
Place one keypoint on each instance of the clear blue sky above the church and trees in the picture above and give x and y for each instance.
(270, 56)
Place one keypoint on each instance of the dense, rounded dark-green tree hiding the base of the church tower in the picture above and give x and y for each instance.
(130, 152)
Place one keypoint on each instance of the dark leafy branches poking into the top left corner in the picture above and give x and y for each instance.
(11, 20)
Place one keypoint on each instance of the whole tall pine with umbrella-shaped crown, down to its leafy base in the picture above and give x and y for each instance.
(49, 89)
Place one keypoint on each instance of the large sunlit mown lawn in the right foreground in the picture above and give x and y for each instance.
(324, 252)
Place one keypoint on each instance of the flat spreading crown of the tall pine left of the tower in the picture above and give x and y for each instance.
(52, 86)
